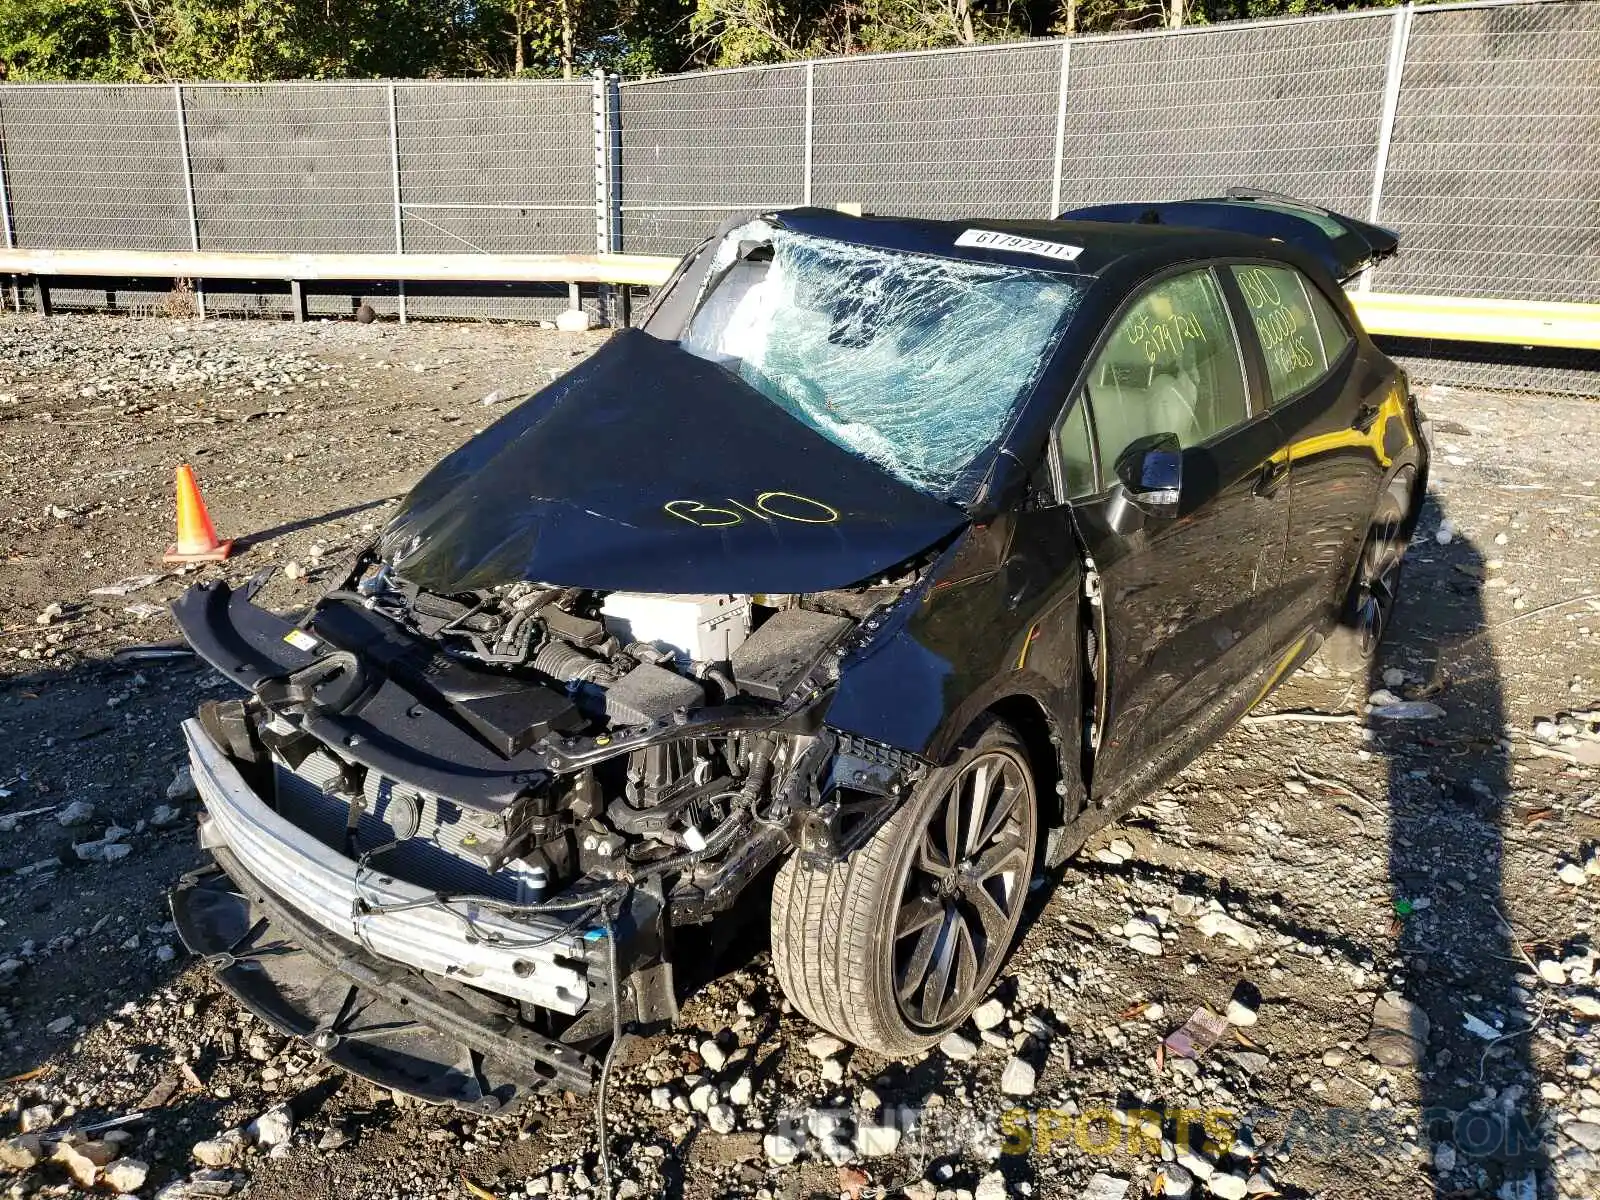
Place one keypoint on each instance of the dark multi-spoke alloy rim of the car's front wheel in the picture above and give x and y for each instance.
(964, 889)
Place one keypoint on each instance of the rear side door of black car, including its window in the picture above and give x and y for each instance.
(1332, 414)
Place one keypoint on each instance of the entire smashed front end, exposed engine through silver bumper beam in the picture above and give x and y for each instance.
(561, 764)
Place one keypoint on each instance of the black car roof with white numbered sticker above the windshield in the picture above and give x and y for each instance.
(1102, 247)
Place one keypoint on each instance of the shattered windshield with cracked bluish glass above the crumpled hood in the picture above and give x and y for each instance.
(911, 361)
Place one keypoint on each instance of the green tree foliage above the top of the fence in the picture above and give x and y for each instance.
(154, 41)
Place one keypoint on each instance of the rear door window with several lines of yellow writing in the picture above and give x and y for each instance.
(1302, 335)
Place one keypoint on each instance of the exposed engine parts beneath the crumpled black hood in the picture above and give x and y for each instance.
(545, 668)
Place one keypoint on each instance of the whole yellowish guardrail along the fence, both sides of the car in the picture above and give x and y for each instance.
(1503, 322)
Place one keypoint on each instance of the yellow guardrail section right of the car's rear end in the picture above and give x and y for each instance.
(1466, 319)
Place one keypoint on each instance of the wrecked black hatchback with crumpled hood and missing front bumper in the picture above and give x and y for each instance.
(881, 567)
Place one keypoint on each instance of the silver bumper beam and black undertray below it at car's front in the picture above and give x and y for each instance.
(298, 932)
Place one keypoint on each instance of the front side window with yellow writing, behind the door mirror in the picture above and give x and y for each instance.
(1172, 367)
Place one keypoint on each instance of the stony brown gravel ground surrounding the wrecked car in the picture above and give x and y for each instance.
(1383, 924)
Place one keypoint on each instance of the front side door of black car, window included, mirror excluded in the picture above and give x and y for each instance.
(1183, 609)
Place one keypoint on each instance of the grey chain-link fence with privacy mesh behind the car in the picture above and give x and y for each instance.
(1471, 129)
